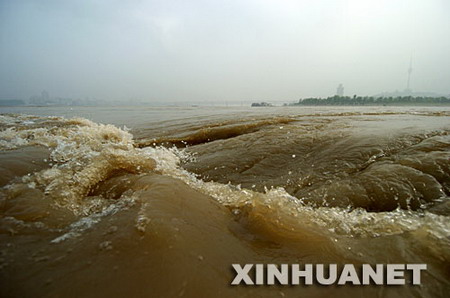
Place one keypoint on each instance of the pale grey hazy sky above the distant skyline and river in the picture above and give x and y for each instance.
(221, 50)
